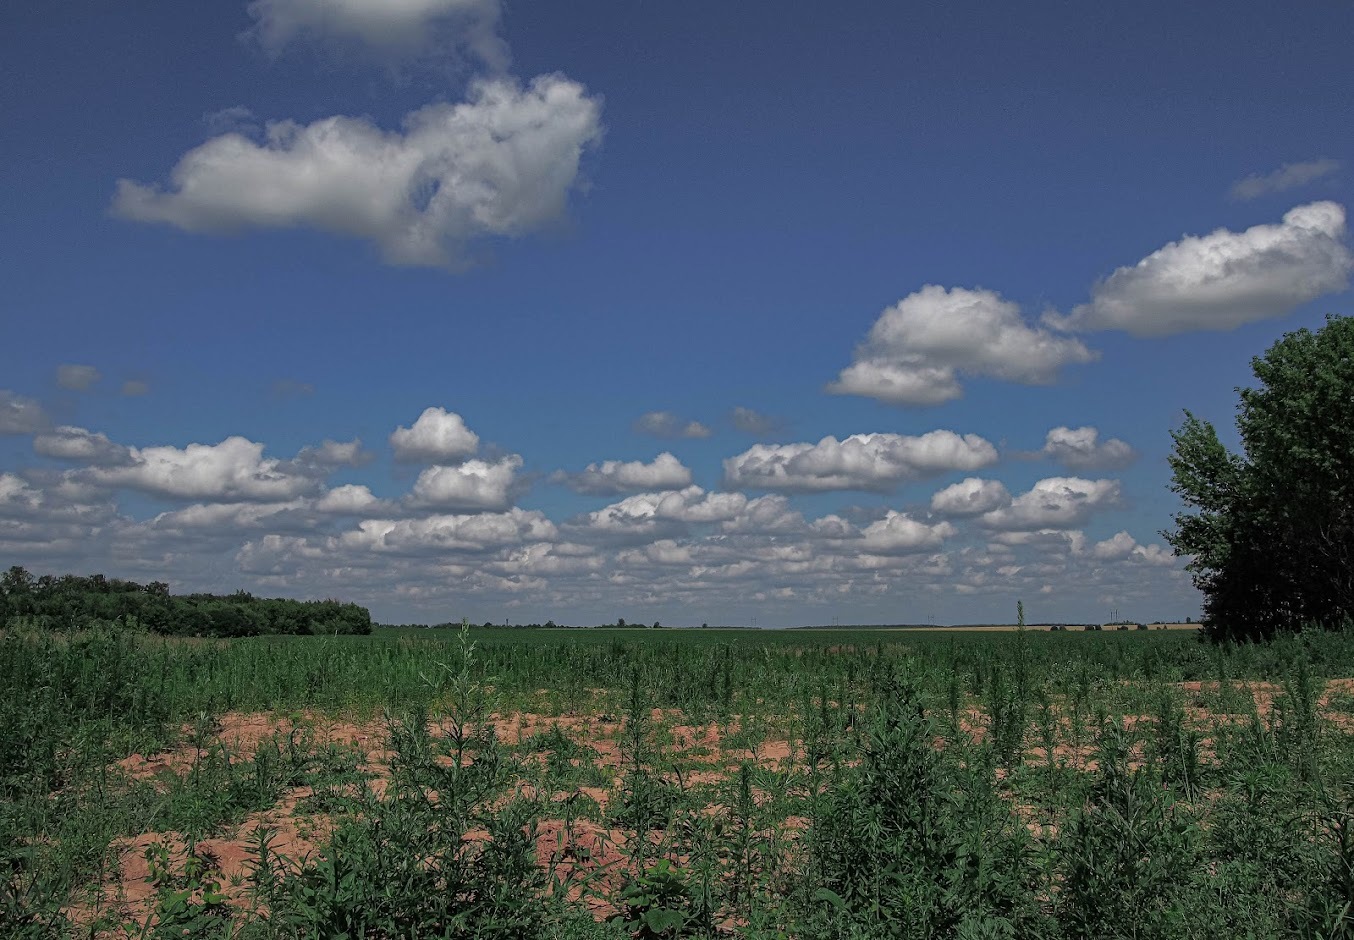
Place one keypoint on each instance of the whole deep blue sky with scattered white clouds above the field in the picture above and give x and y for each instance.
(772, 314)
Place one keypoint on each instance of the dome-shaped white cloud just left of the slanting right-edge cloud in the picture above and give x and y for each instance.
(920, 347)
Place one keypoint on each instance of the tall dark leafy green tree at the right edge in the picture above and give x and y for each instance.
(1272, 536)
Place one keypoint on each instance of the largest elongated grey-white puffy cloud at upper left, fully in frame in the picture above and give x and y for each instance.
(499, 165)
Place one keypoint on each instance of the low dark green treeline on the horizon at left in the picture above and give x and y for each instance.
(74, 602)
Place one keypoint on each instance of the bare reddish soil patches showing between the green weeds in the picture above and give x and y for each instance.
(587, 857)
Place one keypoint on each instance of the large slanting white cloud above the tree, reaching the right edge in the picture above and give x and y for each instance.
(1225, 280)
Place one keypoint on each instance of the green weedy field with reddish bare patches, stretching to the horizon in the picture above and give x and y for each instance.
(546, 784)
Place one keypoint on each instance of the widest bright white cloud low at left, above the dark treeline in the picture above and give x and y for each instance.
(234, 471)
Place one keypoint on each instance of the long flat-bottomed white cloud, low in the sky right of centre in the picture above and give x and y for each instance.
(866, 463)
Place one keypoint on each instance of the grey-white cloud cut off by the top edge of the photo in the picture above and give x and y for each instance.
(387, 26)
